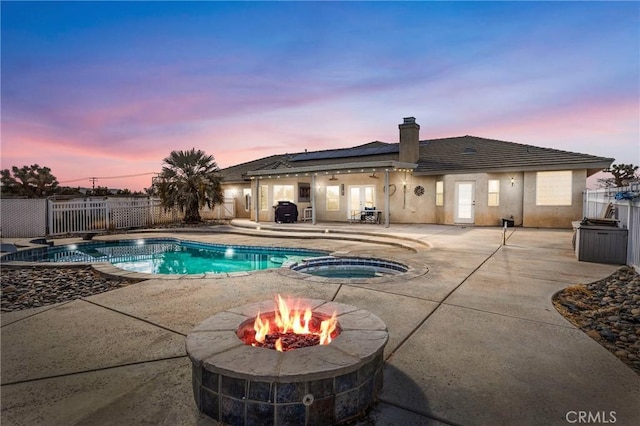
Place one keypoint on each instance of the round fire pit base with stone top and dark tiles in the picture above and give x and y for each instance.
(320, 385)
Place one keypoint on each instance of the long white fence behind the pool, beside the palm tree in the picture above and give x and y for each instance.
(38, 218)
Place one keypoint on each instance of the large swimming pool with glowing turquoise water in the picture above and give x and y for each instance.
(169, 256)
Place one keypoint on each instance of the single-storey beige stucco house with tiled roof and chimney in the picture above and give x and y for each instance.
(459, 180)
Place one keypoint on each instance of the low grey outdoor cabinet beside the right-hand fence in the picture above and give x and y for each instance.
(601, 244)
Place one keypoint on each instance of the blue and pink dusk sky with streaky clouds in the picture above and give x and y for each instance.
(108, 89)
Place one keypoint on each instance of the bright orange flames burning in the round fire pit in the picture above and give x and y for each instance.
(292, 328)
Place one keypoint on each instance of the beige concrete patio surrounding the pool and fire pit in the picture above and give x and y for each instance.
(474, 341)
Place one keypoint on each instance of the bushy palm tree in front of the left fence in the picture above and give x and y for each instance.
(189, 180)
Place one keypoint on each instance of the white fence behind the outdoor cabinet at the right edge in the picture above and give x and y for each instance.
(626, 208)
